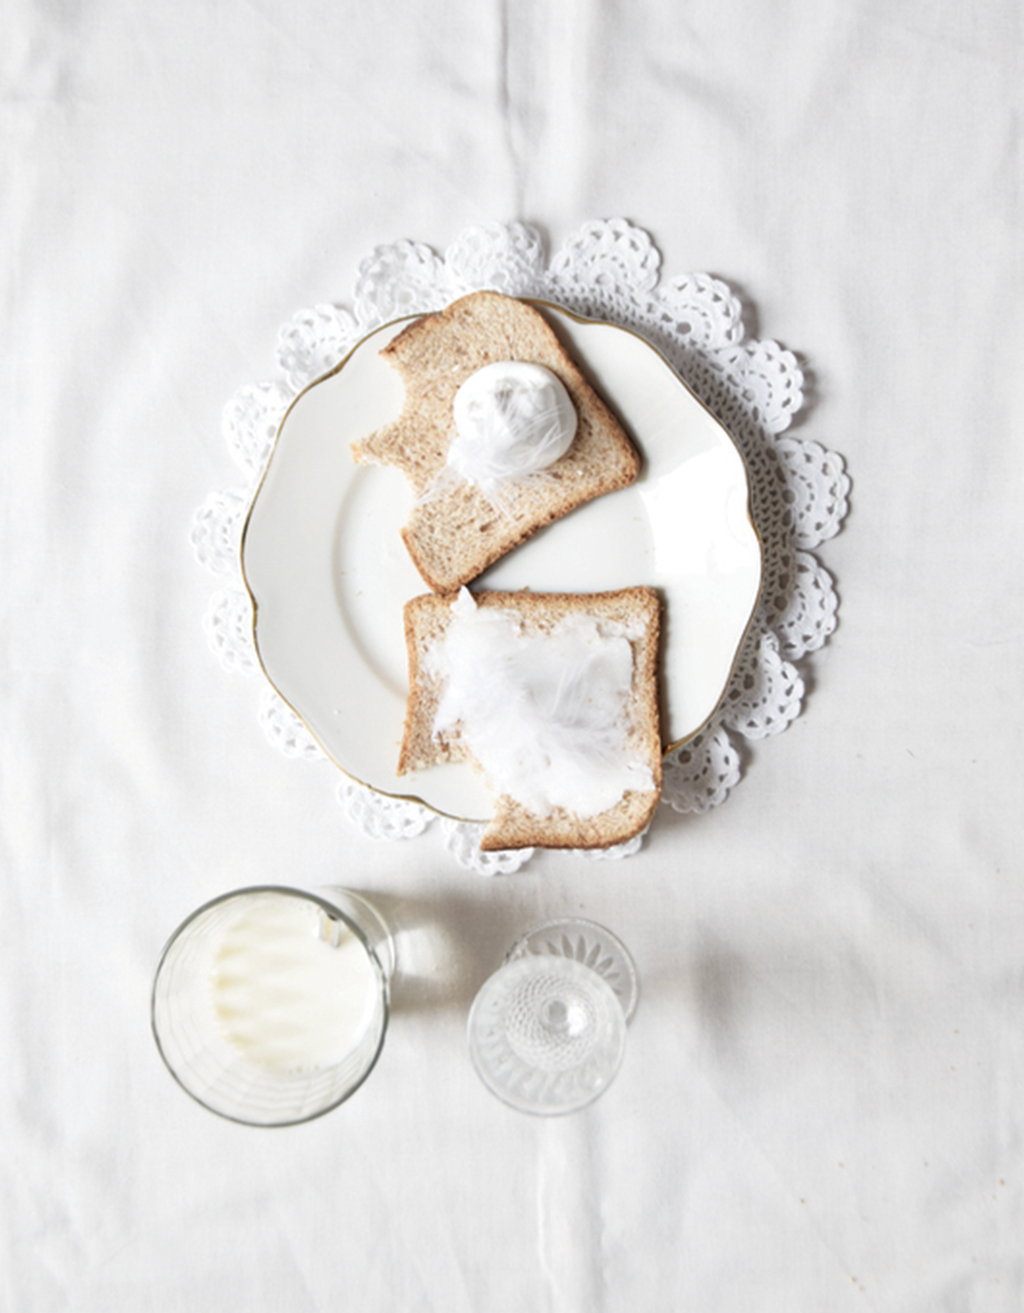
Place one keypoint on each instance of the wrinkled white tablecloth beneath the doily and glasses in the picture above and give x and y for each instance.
(821, 1105)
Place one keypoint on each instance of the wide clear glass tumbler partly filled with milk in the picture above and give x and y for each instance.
(271, 1005)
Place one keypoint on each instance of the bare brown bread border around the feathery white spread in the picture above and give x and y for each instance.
(513, 827)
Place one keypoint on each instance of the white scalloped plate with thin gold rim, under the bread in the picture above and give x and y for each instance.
(329, 573)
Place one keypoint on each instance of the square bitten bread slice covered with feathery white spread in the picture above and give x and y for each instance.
(565, 700)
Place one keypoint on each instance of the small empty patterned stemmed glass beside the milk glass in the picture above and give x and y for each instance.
(548, 1031)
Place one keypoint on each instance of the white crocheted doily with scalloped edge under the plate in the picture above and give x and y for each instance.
(608, 270)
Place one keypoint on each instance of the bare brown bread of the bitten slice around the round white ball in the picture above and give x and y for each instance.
(456, 532)
